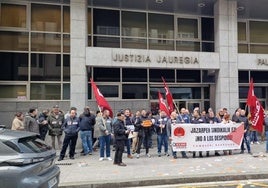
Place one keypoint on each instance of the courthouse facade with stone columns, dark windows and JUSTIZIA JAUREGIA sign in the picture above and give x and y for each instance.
(207, 51)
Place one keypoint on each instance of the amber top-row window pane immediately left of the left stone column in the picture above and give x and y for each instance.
(46, 17)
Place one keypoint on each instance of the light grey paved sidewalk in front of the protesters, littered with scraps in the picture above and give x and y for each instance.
(88, 171)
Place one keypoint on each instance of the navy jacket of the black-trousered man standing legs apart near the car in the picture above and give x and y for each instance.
(71, 126)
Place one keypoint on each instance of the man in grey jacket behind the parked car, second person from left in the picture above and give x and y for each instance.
(30, 121)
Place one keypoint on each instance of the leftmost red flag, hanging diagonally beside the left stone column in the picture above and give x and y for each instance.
(101, 101)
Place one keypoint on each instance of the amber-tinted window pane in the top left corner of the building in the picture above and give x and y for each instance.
(13, 15)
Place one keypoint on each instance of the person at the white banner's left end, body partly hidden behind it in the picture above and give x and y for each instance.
(171, 122)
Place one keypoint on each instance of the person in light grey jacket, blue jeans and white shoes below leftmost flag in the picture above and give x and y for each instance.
(104, 123)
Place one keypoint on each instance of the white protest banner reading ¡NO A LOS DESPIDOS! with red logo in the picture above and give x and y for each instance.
(206, 137)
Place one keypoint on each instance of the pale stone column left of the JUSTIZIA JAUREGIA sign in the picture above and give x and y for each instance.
(78, 44)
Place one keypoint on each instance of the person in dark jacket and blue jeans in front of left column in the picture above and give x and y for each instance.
(87, 121)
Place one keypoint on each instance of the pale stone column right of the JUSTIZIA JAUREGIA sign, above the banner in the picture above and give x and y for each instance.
(225, 13)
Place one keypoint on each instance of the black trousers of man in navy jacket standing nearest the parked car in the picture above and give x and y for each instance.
(68, 140)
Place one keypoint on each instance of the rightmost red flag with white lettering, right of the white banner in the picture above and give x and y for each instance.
(256, 110)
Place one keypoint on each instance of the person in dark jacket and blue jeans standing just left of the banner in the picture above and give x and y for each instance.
(161, 130)
